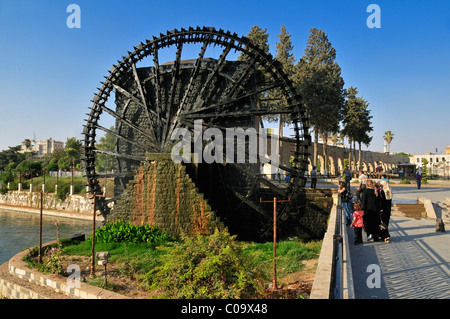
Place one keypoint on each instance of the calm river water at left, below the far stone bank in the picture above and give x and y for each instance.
(20, 230)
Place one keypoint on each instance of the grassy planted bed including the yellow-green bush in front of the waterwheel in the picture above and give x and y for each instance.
(215, 266)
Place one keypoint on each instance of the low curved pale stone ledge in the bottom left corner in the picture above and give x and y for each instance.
(22, 282)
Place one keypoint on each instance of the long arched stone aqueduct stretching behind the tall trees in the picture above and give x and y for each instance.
(336, 155)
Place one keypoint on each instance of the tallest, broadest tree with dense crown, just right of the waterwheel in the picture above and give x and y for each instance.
(320, 83)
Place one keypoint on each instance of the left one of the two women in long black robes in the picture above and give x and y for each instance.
(372, 208)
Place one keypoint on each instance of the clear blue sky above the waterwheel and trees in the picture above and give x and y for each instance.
(49, 73)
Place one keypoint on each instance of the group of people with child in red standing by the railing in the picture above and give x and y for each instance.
(371, 211)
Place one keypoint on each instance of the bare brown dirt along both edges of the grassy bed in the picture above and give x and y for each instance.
(292, 286)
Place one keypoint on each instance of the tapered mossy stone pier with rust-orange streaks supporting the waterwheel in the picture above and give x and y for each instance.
(163, 194)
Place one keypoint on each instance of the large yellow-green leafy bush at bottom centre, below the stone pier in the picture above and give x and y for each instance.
(200, 266)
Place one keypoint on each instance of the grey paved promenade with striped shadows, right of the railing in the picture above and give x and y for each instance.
(415, 264)
